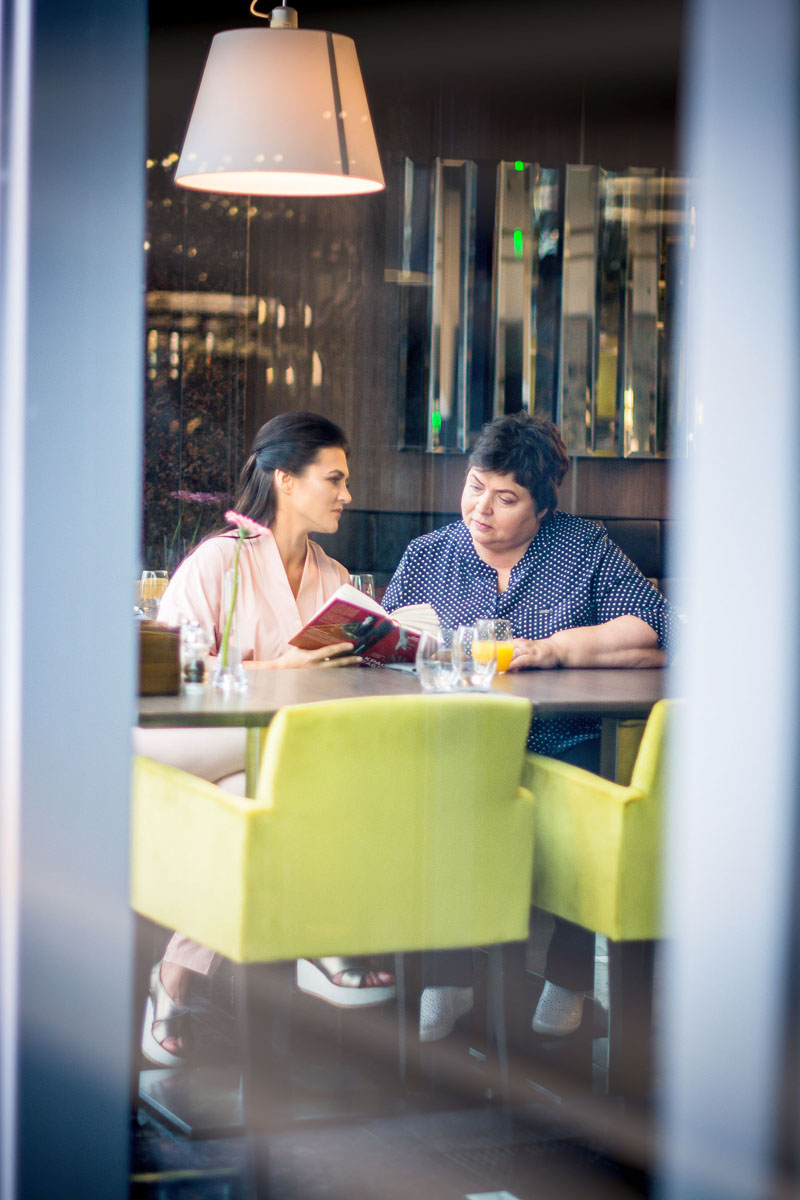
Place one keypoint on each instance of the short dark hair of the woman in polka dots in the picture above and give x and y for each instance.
(531, 449)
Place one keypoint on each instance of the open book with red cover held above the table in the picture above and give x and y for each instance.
(351, 616)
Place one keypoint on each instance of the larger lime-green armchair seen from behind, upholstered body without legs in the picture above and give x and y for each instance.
(380, 825)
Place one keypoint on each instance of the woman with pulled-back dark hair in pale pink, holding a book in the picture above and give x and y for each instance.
(294, 483)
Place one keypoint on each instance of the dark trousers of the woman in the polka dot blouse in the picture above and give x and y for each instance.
(572, 953)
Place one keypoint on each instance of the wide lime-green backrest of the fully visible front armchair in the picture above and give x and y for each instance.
(390, 824)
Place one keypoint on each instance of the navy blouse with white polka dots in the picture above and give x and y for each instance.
(573, 574)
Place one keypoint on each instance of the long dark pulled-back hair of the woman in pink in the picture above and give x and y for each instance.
(290, 442)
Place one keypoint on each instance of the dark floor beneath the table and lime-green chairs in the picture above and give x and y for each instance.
(345, 1125)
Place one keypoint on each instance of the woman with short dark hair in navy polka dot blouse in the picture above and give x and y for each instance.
(574, 601)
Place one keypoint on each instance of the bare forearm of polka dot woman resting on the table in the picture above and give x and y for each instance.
(623, 643)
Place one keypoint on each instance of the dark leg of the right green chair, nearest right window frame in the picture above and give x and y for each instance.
(630, 1019)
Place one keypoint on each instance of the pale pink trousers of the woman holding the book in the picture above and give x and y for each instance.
(216, 755)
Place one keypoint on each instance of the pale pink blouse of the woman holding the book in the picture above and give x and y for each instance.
(268, 613)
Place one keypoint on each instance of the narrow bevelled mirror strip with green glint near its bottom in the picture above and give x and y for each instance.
(452, 304)
